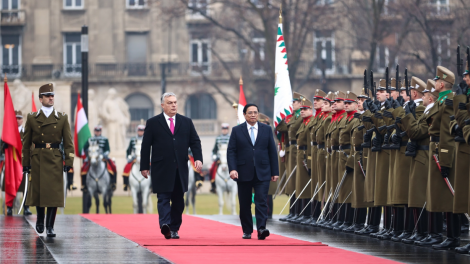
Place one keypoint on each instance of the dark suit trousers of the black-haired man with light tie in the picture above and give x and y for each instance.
(245, 191)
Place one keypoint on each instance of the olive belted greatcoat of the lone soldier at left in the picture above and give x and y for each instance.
(46, 182)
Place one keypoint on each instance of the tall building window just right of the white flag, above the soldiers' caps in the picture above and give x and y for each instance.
(325, 54)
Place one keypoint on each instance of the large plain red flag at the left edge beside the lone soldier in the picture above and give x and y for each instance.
(11, 137)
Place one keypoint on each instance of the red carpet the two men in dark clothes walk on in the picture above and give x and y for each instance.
(206, 241)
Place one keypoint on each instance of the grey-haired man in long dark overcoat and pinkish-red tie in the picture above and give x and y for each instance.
(169, 135)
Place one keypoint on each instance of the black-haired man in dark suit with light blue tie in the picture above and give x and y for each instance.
(252, 161)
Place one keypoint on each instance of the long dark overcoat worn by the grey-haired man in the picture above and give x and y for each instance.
(169, 152)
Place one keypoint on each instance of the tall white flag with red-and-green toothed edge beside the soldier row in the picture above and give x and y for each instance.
(282, 87)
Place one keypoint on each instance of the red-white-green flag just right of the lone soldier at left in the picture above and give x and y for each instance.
(82, 131)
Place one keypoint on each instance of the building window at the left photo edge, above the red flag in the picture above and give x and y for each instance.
(11, 55)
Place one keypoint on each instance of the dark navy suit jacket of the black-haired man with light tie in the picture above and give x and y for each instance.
(245, 158)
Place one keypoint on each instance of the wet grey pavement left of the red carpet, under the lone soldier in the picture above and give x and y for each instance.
(78, 241)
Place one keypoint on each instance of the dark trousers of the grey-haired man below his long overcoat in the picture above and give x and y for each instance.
(171, 215)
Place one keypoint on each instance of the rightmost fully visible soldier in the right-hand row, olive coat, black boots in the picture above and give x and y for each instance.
(442, 163)
